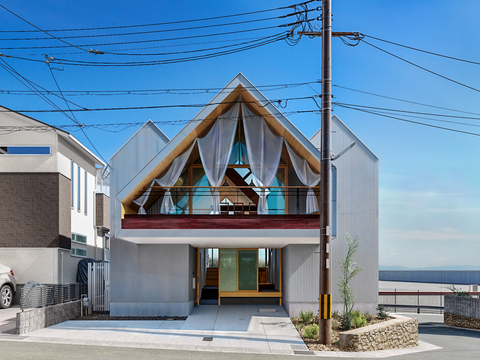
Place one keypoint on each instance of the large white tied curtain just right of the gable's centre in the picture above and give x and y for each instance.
(264, 151)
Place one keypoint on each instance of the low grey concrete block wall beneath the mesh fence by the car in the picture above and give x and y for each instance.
(40, 318)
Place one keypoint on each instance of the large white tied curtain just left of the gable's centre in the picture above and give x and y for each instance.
(215, 149)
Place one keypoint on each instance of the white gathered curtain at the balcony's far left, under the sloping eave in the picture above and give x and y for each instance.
(169, 179)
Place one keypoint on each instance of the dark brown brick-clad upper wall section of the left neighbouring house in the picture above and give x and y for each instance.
(34, 210)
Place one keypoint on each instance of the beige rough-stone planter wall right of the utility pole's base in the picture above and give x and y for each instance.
(400, 332)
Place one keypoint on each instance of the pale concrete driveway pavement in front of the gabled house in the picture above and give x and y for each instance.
(248, 329)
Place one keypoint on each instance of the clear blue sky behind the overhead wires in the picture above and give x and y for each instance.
(429, 178)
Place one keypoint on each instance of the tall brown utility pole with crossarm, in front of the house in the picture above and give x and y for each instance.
(325, 280)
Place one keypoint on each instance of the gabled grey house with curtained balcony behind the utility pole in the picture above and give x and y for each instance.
(226, 212)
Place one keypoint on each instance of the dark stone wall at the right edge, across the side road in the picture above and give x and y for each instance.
(462, 311)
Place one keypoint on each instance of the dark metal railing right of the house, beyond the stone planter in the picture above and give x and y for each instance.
(415, 301)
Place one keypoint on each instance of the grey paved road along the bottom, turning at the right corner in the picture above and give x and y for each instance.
(455, 343)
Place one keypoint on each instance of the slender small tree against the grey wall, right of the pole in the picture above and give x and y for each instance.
(348, 270)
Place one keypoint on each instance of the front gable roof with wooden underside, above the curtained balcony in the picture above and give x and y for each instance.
(200, 124)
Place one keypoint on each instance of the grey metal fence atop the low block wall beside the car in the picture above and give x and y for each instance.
(49, 295)
